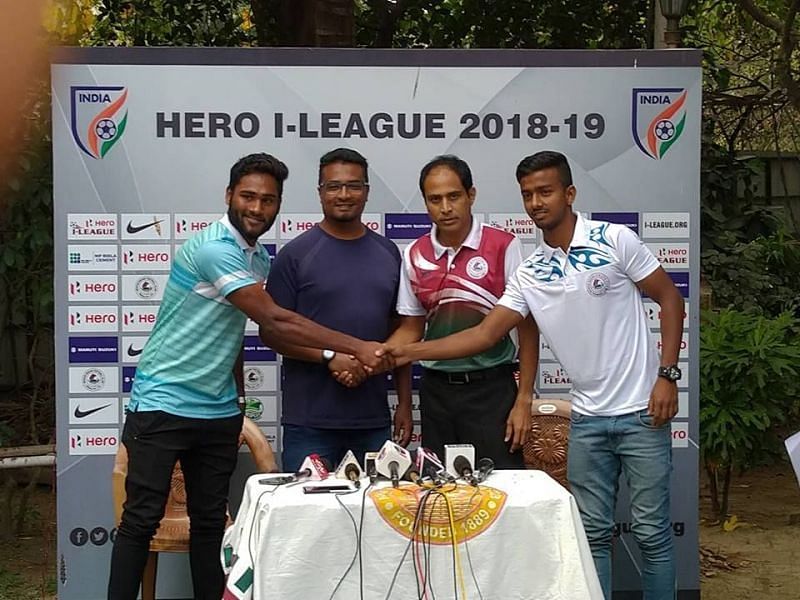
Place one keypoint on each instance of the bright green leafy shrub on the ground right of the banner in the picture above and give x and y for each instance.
(749, 368)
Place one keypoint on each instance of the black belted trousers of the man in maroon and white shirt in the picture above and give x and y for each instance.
(470, 408)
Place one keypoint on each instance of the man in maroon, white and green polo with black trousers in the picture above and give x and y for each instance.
(450, 279)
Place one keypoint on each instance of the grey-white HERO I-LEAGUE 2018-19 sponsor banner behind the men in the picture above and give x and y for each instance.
(143, 140)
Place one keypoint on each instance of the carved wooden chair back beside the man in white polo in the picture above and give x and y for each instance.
(546, 448)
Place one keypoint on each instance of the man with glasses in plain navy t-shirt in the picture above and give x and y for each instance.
(342, 275)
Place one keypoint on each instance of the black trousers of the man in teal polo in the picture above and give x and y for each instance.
(207, 449)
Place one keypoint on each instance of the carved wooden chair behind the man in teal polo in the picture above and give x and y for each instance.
(172, 534)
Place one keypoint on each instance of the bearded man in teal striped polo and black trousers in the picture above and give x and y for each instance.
(184, 399)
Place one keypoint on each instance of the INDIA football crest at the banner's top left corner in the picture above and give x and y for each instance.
(98, 117)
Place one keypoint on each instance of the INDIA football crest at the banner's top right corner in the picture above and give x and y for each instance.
(658, 119)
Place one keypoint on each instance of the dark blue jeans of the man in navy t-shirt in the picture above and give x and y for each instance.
(331, 444)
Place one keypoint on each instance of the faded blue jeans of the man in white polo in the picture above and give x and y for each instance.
(599, 449)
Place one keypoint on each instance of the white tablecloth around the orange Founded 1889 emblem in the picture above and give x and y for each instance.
(289, 545)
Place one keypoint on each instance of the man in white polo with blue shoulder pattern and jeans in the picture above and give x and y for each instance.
(582, 285)
